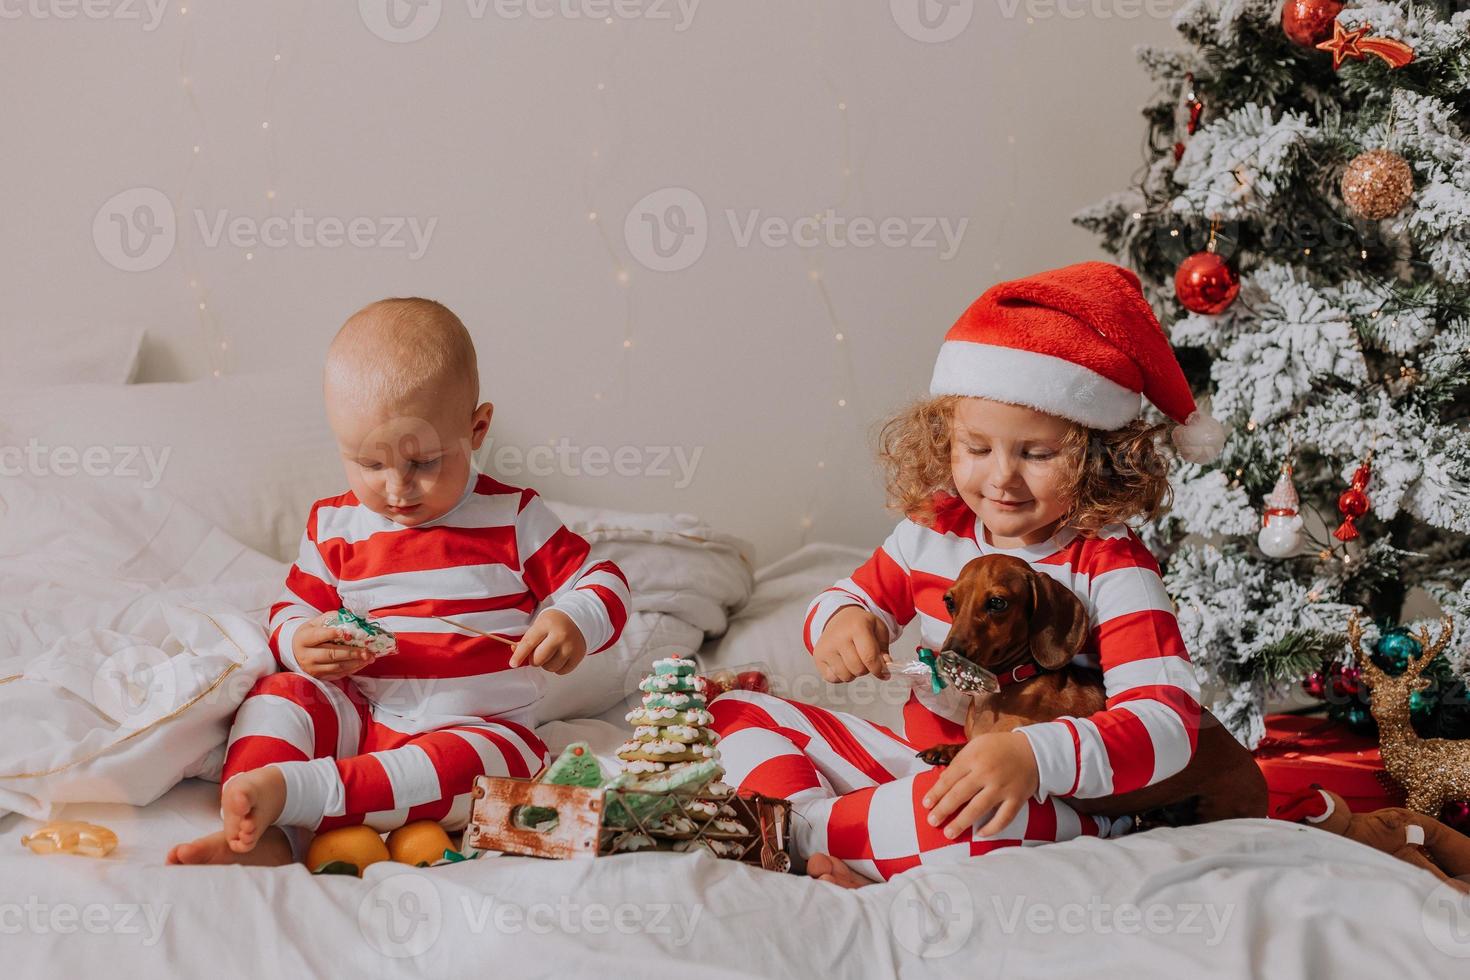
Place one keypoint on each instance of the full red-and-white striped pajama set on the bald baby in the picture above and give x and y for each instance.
(404, 738)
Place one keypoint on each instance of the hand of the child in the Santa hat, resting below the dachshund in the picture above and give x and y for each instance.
(994, 772)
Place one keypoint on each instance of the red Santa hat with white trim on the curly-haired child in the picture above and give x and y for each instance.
(1080, 343)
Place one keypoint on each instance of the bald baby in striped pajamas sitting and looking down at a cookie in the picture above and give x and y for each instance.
(483, 586)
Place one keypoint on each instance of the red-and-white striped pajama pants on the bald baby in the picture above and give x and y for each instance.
(343, 766)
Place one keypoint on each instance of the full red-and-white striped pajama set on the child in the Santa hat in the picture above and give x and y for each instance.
(859, 785)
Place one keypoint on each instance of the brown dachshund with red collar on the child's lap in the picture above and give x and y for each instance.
(1008, 616)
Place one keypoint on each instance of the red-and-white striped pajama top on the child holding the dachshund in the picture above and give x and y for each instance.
(1152, 722)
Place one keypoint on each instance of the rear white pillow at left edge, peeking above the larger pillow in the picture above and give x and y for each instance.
(68, 356)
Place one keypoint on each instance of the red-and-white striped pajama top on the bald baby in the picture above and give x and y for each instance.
(487, 566)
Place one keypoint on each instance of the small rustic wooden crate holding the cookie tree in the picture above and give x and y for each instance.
(583, 829)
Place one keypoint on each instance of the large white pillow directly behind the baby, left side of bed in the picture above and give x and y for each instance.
(249, 452)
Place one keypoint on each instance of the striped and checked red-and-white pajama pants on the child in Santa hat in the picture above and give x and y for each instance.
(858, 788)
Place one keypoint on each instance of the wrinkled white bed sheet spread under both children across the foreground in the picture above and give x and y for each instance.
(1247, 898)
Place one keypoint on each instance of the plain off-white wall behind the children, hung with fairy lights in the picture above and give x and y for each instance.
(489, 127)
